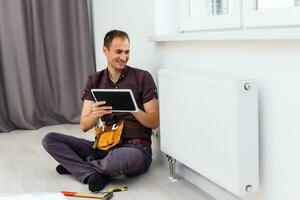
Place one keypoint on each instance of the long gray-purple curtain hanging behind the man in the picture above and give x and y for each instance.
(45, 59)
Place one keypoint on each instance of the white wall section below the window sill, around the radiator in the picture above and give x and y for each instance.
(276, 66)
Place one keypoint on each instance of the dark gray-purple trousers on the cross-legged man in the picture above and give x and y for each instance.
(78, 157)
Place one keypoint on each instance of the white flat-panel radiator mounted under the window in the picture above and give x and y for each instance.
(210, 124)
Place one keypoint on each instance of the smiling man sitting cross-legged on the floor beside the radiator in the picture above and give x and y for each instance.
(133, 155)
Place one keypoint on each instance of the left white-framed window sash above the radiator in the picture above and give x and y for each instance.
(198, 15)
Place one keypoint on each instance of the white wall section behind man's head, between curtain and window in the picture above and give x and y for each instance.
(135, 18)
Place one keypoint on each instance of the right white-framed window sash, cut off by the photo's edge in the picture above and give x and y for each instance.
(260, 13)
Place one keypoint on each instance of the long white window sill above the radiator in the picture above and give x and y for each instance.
(261, 34)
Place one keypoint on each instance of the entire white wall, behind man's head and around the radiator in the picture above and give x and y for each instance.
(275, 65)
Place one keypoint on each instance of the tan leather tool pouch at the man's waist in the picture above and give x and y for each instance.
(108, 136)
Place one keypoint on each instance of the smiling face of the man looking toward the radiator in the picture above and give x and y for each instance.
(118, 53)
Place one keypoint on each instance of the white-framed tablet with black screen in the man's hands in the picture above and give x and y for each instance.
(121, 100)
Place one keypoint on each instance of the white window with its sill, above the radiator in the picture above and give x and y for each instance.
(183, 20)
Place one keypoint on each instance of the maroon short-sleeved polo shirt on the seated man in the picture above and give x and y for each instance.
(143, 88)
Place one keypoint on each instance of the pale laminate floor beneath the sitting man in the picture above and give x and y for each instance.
(27, 168)
